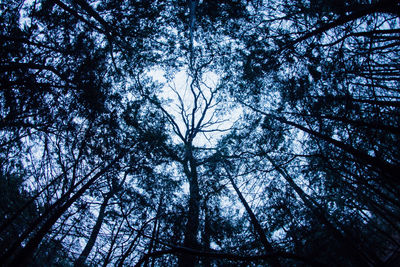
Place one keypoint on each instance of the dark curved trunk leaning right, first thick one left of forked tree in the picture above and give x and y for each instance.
(95, 232)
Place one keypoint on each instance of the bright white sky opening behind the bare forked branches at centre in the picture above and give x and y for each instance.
(190, 103)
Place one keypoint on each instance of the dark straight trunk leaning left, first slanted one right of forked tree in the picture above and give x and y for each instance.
(261, 234)
